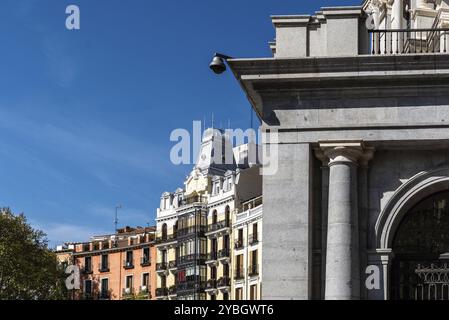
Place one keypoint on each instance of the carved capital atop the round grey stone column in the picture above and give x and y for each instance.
(344, 151)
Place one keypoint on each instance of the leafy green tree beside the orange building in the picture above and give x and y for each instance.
(28, 268)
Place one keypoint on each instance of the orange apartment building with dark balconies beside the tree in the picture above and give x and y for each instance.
(118, 266)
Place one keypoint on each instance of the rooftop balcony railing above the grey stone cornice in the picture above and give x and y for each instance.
(409, 41)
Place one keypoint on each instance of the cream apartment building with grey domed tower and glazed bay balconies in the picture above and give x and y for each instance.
(194, 224)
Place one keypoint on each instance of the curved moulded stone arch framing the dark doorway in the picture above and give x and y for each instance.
(406, 197)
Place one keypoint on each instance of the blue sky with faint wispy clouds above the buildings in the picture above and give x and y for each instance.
(86, 116)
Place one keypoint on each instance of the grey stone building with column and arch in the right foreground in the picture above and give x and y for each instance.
(358, 98)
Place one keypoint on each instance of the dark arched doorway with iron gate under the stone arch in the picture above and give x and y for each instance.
(420, 268)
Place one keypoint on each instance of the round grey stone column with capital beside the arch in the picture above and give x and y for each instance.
(342, 254)
